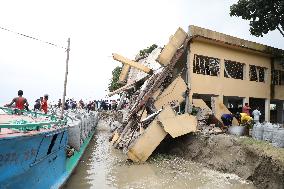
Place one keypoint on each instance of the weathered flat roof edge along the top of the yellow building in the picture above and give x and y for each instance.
(198, 32)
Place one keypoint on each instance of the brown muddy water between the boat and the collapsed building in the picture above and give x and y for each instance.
(105, 167)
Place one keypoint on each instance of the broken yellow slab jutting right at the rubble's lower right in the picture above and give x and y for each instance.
(179, 125)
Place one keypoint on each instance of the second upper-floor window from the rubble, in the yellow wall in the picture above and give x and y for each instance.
(234, 69)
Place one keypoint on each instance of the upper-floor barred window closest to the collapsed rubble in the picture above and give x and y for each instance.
(206, 65)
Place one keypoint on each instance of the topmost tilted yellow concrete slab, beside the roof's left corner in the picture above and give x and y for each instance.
(171, 48)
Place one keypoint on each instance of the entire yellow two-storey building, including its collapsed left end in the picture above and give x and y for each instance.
(195, 78)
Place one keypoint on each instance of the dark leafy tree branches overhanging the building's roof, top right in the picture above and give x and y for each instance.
(264, 15)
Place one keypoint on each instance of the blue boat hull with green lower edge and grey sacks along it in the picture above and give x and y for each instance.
(37, 158)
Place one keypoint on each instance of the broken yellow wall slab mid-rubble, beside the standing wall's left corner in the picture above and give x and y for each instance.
(173, 94)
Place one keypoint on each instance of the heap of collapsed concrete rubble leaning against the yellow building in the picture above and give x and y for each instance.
(154, 108)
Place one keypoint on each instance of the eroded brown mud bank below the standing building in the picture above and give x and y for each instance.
(253, 160)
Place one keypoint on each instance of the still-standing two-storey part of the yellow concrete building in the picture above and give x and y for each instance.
(236, 71)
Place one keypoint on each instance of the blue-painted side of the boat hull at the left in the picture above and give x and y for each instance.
(35, 161)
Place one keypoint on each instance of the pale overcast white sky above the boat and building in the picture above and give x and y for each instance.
(96, 29)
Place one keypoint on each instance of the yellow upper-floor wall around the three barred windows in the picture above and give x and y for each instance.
(204, 84)
